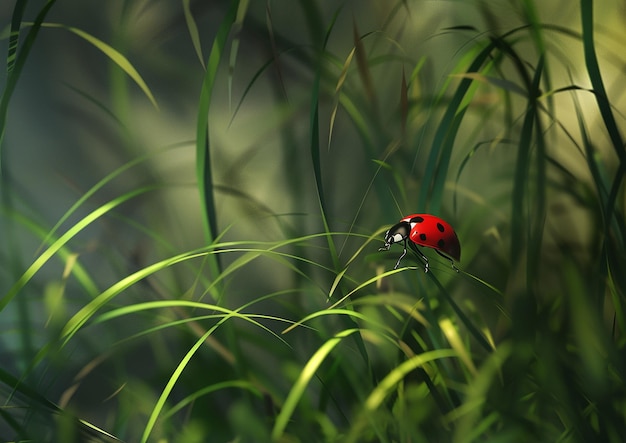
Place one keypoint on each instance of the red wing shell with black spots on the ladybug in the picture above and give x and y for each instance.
(433, 232)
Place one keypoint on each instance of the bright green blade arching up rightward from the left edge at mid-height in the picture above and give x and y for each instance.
(62, 241)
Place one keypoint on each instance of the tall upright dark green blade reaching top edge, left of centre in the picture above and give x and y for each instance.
(203, 154)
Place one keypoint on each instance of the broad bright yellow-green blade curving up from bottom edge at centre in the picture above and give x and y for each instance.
(299, 386)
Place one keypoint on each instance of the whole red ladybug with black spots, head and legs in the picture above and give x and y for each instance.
(425, 230)
